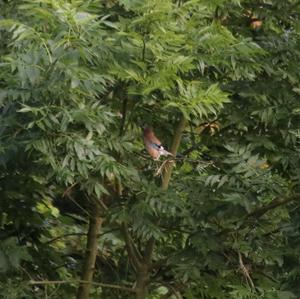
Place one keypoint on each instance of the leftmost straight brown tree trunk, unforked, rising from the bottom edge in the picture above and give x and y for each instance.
(95, 223)
